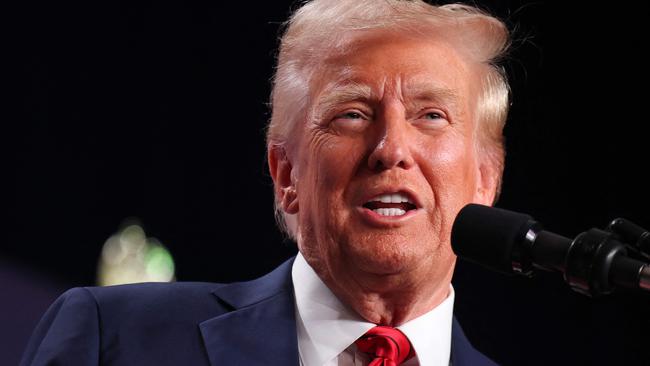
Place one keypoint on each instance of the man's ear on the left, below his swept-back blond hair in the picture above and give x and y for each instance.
(282, 174)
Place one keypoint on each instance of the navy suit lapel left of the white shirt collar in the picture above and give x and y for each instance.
(261, 328)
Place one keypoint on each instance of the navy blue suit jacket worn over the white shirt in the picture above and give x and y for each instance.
(246, 323)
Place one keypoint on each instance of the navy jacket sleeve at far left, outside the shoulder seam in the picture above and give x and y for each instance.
(68, 333)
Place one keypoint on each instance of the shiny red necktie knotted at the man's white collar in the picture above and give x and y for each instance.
(388, 346)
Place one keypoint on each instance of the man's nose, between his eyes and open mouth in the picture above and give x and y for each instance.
(393, 147)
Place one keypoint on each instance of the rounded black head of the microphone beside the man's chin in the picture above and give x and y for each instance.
(488, 236)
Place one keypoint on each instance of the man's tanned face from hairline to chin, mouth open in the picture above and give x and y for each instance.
(386, 160)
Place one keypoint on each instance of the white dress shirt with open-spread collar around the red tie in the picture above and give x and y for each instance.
(327, 328)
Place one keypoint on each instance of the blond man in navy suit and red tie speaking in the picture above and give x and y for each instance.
(387, 120)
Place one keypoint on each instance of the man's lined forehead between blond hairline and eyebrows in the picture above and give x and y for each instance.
(384, 62)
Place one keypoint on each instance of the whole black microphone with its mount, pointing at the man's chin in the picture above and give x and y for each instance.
(594, 263)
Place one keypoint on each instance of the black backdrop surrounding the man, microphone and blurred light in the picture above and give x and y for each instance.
(156, 110)
